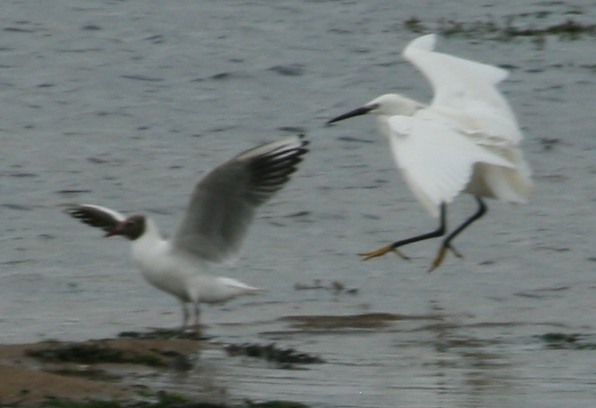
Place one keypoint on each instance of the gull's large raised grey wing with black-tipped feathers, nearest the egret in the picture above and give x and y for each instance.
(223, 203)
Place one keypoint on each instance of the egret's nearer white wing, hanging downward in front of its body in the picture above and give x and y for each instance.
(436, 161)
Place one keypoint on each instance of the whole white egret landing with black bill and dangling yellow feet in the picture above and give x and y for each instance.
(466, 140)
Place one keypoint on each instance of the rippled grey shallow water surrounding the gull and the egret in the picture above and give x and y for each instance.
(126, 103)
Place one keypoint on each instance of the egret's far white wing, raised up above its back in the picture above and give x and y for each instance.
(465, 92)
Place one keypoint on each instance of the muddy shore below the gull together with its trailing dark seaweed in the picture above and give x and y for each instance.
(112, 371)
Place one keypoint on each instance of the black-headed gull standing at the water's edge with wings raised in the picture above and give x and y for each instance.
(221, 208)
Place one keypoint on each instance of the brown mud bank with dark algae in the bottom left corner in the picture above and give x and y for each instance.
(36, 374)
